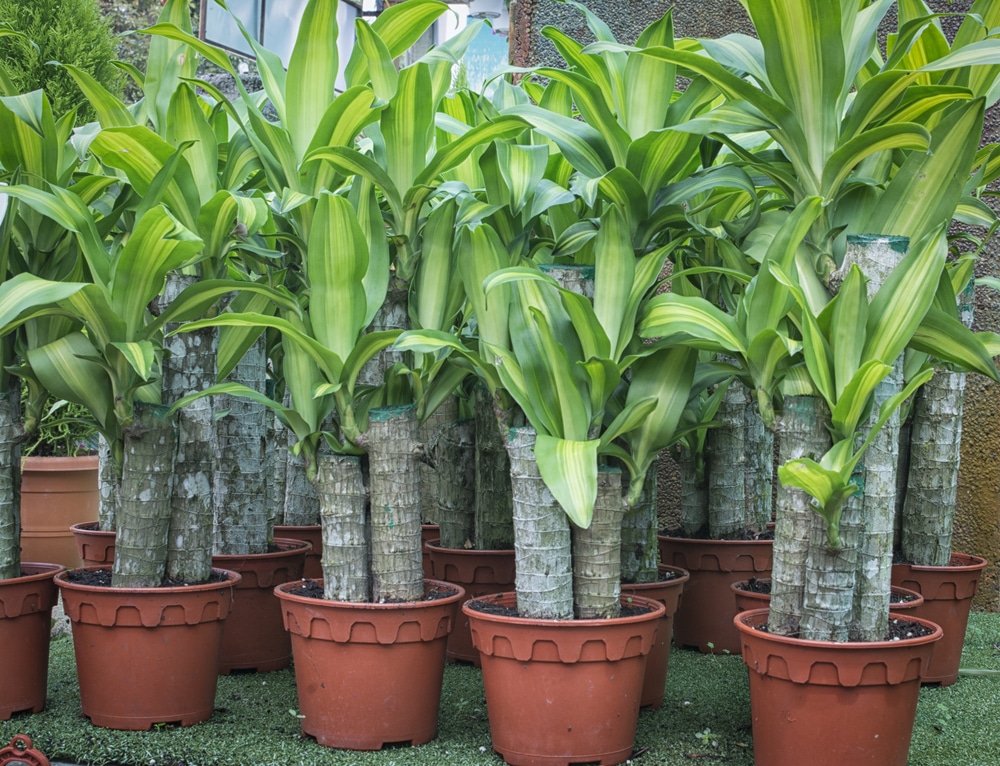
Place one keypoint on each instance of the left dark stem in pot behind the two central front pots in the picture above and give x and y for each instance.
(456, 483)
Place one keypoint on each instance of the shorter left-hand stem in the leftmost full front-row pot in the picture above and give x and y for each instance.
(144, 512)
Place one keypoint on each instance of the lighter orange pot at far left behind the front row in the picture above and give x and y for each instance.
(56, 492)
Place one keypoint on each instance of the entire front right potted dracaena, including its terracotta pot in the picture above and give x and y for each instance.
(829, 600)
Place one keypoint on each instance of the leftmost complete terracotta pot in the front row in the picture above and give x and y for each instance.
(147, 655)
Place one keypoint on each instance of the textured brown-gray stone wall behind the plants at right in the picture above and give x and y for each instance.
(977, 528)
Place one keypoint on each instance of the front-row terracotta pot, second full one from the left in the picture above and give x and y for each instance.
(369, 674)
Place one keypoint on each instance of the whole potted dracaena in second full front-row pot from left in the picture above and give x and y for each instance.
(349, 414)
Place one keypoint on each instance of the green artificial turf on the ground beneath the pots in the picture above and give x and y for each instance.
(255, 723)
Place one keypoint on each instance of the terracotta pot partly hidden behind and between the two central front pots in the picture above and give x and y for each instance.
(479, 573)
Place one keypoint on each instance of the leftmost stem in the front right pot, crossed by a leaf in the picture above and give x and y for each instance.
(801, 432)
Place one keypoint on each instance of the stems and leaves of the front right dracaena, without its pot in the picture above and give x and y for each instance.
(848, 146)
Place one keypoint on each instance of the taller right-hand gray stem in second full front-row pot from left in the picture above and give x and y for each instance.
(391, 442)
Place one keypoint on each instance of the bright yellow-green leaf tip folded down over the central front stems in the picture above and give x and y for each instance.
(569, 470)
